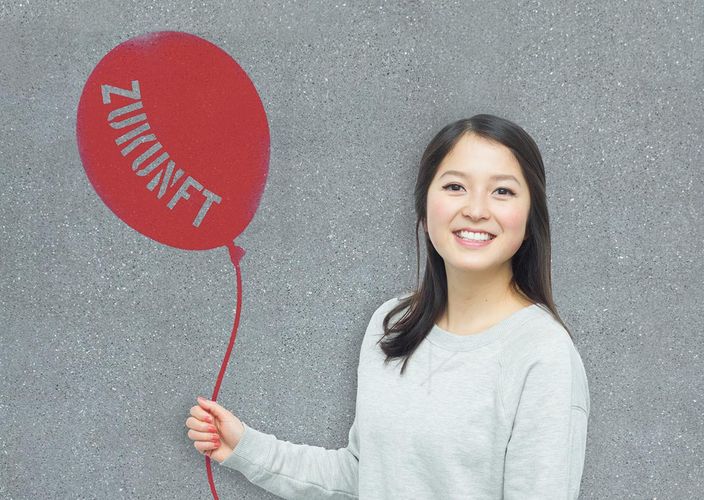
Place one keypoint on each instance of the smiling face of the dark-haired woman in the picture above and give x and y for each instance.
(463, 195)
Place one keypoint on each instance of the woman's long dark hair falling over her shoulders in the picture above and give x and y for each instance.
(530, 264)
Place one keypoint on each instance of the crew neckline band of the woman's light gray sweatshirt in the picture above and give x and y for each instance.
(455, 342)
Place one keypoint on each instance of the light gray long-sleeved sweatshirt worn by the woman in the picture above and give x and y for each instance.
(498, 414)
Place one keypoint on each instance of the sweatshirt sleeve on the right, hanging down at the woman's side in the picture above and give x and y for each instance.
(545, 452)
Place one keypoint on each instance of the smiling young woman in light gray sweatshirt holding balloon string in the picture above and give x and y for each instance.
(491, 399)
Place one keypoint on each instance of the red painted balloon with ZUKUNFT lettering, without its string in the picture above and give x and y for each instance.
(174, 138)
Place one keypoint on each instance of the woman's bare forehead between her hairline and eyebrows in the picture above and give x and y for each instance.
(475, 155)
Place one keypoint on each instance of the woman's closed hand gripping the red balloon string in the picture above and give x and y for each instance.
(214, 430)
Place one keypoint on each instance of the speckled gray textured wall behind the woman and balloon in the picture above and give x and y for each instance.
(107, 337)
